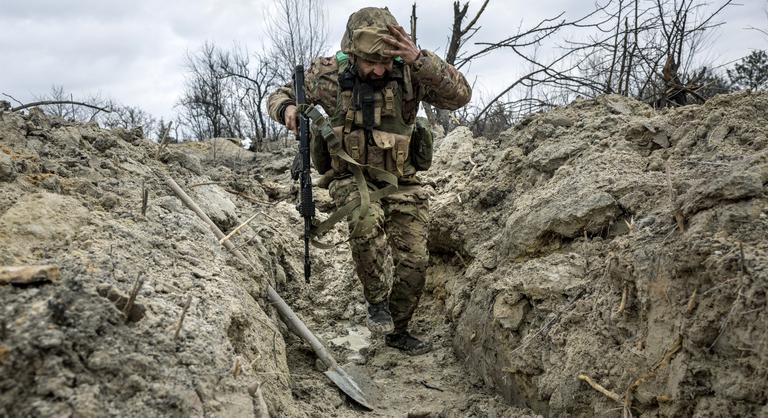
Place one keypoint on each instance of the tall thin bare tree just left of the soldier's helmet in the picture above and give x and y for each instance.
(298, 31)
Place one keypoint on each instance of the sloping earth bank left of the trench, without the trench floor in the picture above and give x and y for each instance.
(71, 195)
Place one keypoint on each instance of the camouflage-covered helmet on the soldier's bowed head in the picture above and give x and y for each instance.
(365, 30)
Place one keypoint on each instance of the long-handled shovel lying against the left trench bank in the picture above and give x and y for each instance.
(336, 373)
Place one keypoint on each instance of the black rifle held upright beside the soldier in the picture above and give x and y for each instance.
(306, 205)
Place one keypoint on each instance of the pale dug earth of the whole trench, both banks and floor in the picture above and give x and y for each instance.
(602, 243)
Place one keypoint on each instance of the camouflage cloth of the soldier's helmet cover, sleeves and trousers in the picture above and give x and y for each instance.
(399, 220)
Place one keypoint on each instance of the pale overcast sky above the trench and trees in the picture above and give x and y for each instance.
(133, 51)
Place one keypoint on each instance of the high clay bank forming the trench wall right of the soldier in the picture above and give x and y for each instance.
(613, 242)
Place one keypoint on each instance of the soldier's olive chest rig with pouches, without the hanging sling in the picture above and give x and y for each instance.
(369, 121)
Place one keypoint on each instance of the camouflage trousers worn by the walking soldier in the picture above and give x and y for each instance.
(396, 223)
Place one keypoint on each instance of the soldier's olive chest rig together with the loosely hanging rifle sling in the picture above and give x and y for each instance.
(365, 135)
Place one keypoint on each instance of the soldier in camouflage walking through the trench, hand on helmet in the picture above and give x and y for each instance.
(371, 90)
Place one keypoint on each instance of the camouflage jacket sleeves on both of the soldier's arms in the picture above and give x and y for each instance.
(433, 81)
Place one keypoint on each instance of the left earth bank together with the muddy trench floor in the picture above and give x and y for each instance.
(92, 204)
